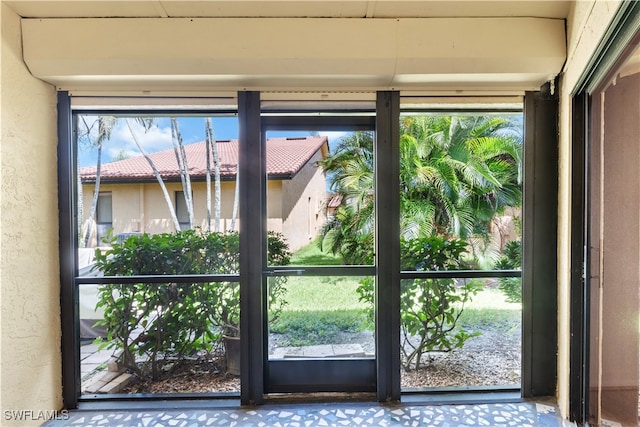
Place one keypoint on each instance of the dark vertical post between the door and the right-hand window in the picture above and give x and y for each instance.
(387, 246)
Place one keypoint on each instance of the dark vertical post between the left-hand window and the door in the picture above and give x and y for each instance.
(250, 174)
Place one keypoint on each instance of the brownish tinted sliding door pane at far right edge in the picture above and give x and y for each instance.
(614, 390)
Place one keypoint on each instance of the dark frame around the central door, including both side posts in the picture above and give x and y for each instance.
(260, 376)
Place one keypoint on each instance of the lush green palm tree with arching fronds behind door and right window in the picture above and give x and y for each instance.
(456, 173)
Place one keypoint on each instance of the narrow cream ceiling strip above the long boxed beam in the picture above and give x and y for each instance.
(290, 8)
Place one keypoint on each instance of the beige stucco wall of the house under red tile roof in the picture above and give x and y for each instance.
(142, 207)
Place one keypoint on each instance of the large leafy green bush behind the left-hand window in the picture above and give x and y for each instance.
(159, 320)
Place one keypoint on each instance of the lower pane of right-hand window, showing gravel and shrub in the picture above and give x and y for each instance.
(459, 333)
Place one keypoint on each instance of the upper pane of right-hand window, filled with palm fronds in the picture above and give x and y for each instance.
(461, 180)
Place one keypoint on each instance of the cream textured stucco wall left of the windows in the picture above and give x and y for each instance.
(30, 362)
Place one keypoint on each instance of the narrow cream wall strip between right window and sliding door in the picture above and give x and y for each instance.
(586, 25)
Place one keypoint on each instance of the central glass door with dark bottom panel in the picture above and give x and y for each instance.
(320, 328)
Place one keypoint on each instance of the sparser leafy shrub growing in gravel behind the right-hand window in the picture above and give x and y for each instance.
(429, 308)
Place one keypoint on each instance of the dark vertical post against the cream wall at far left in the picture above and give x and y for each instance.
(68, 236)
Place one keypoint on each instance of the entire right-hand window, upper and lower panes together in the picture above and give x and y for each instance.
(460, 209)
